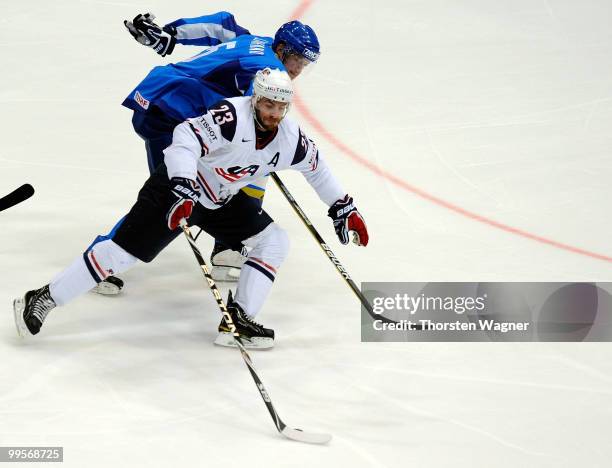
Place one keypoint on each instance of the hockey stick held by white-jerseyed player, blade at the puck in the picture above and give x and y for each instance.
(288, 432)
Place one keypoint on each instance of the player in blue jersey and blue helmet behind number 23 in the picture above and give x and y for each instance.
(225, 68)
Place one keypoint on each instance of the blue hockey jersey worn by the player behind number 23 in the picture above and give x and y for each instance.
(225, 68)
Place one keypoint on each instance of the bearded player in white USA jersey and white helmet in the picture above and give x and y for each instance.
(210, 159)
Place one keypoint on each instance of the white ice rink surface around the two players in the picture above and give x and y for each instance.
(497, 109)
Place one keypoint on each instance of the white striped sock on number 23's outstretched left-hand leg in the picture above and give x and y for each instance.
(101, 260)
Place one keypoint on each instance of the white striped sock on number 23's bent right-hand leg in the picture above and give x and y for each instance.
(270, 247)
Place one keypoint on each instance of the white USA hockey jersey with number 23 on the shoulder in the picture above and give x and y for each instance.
(218, 150)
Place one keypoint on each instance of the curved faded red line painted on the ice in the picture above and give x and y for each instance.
(325, 133)
